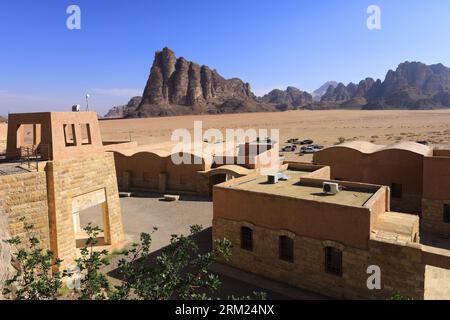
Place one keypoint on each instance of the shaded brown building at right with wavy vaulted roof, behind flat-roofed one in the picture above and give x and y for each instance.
(418, 175)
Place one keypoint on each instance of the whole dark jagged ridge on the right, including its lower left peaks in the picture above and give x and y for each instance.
(413, 85)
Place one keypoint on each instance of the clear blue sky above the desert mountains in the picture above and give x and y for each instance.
(271, 44)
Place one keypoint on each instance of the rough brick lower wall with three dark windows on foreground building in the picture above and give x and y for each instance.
(401, 268)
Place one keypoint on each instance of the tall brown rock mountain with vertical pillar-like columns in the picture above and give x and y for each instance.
(177, 86)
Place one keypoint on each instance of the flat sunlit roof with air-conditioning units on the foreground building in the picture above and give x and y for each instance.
(293, 188)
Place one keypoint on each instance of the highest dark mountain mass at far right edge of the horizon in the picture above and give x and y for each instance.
(413, 85)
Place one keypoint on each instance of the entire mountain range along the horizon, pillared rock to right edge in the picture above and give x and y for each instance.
(177, 86)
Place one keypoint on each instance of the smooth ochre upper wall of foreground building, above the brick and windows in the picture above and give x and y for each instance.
(345, 224)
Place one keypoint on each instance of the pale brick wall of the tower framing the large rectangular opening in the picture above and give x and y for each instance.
(68, 179)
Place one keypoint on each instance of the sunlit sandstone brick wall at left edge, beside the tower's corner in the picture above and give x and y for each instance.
(25, 196)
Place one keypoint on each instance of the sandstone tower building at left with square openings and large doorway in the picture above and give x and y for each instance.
(64, 171)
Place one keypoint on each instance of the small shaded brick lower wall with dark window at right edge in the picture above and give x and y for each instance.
(432, 220)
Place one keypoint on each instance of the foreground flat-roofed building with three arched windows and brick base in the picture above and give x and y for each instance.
(293, 232)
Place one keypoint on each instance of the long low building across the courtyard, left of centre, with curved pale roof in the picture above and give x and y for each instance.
(152, 168)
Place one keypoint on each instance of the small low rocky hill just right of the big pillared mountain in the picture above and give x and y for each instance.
(289, 99)
